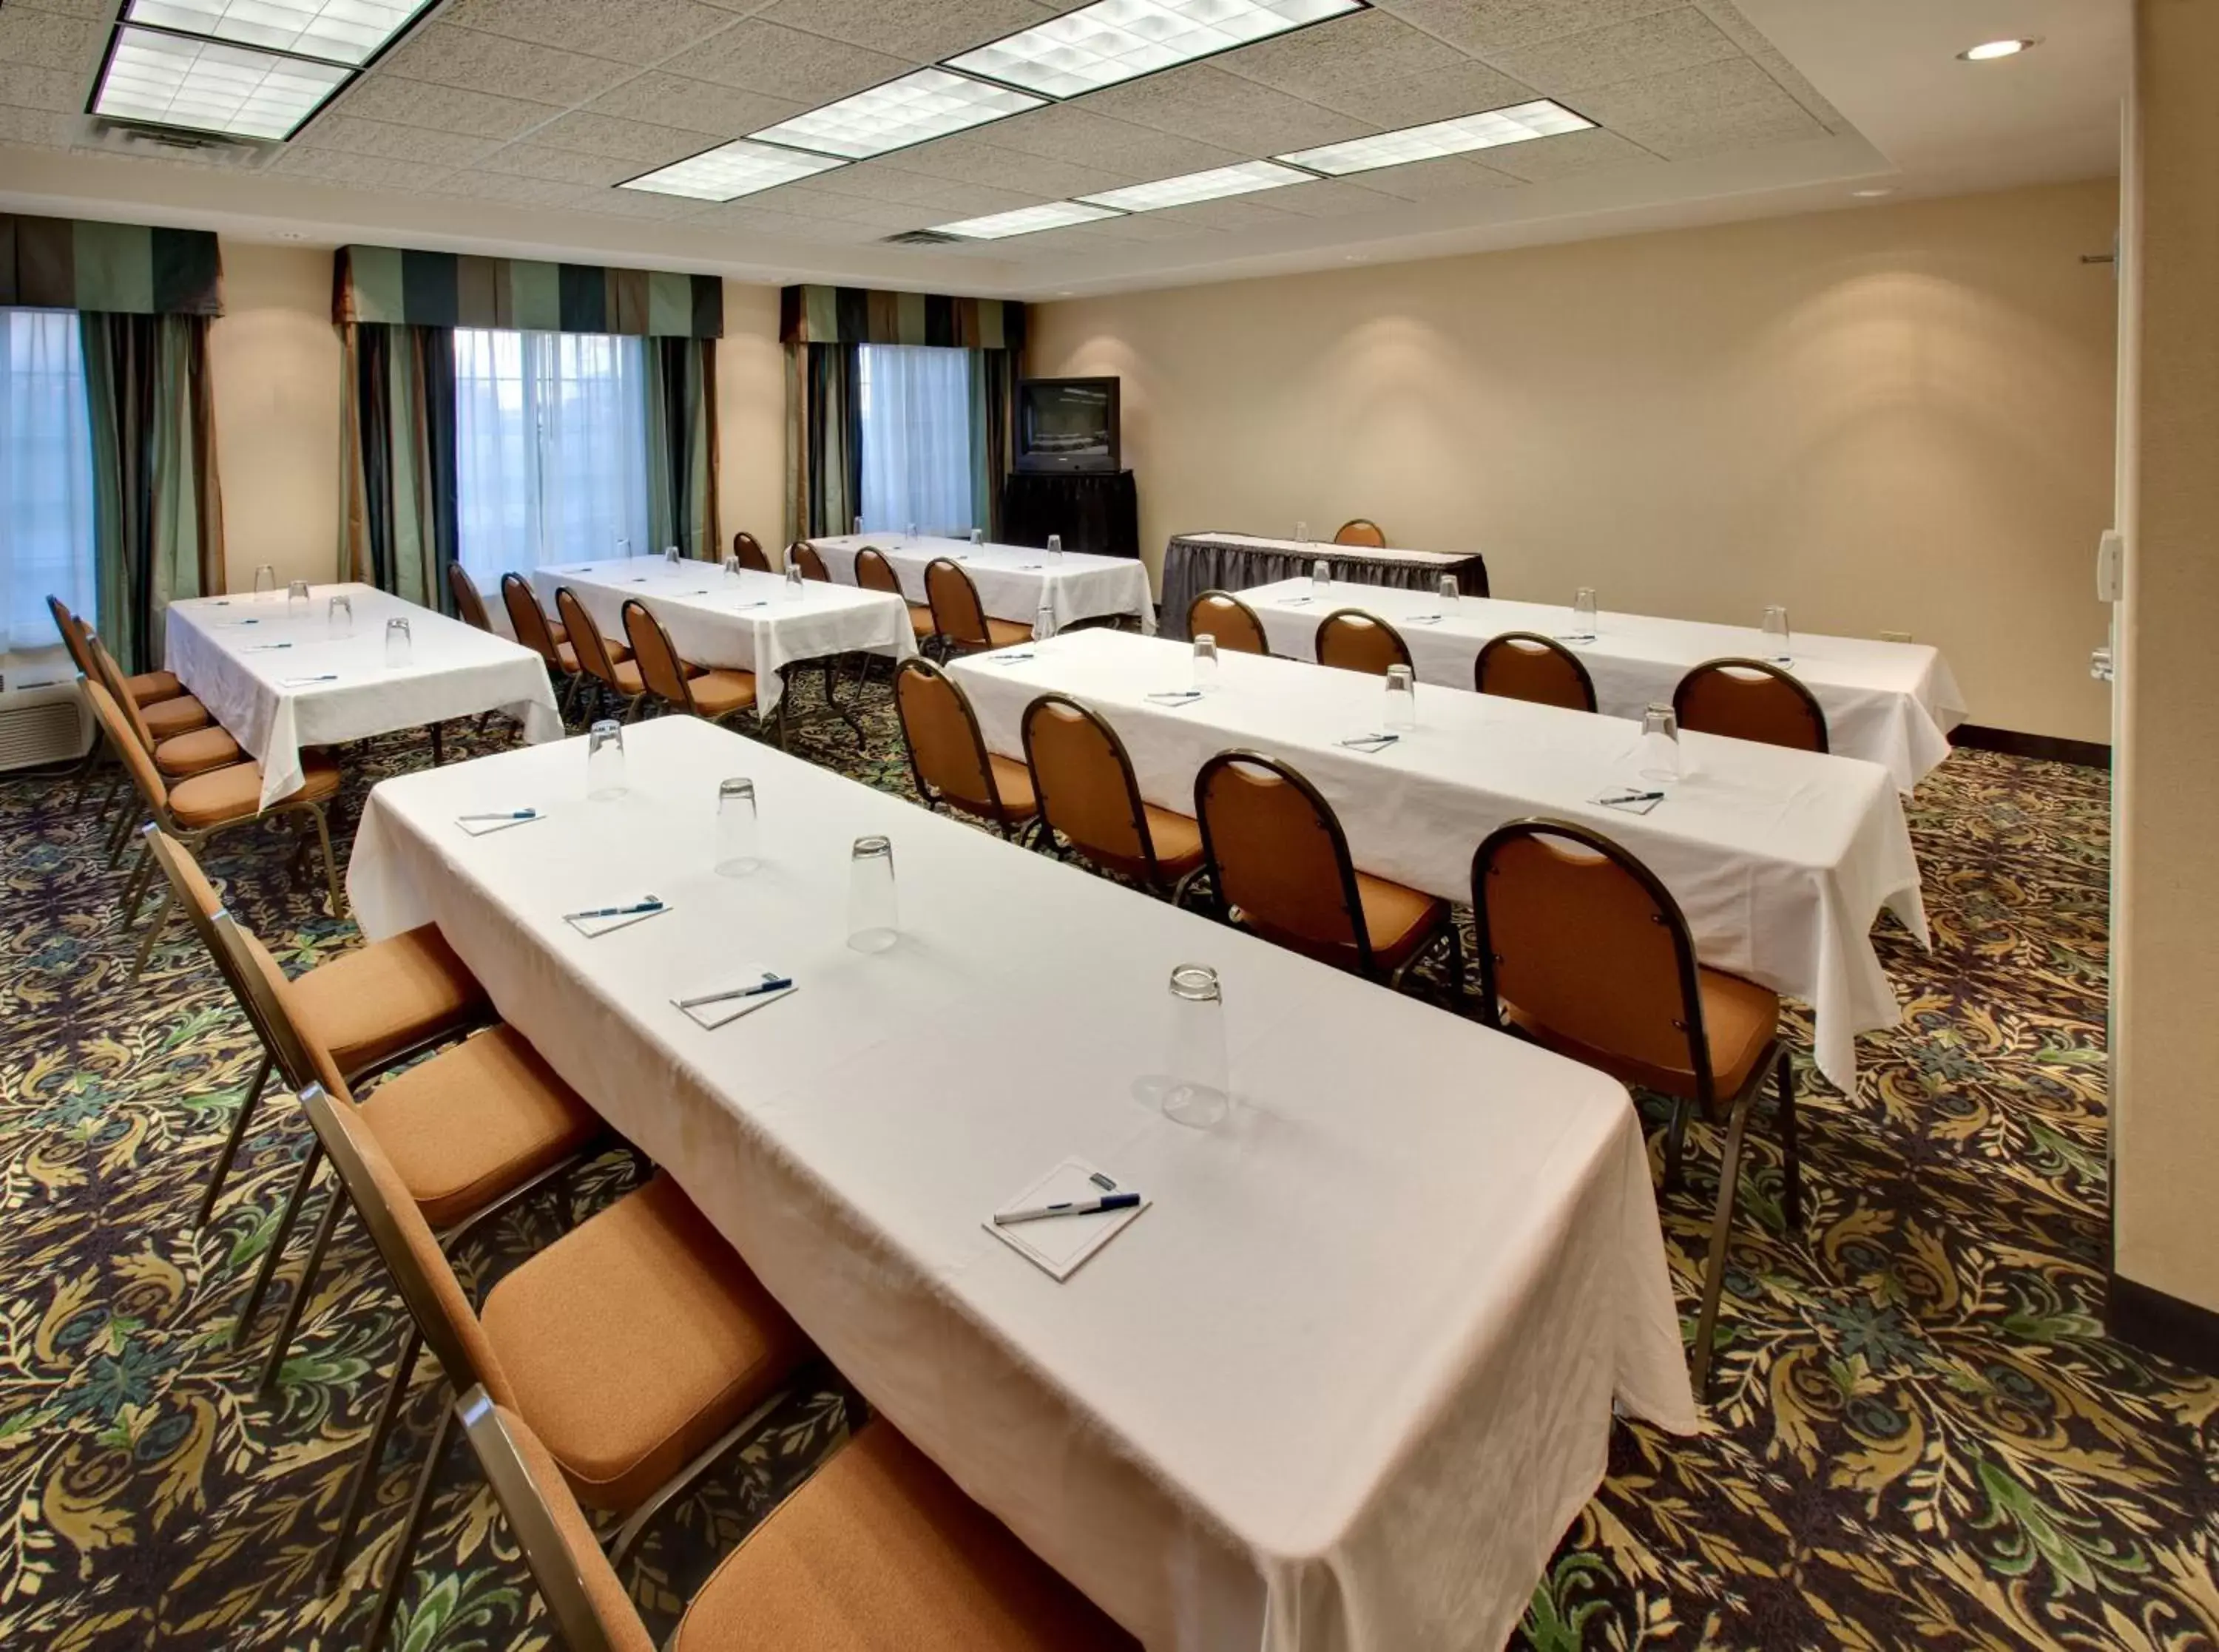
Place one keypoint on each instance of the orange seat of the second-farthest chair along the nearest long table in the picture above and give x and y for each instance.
(483, 1119)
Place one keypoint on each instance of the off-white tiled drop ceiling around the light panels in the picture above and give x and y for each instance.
(509, 125)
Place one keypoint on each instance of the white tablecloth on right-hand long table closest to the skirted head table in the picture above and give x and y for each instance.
(1892, 704)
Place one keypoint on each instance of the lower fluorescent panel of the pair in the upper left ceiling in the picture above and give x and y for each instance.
(207, 85)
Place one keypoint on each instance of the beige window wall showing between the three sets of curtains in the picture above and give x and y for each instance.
(276, 363)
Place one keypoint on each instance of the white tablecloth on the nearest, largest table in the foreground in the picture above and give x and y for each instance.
(1341, 1387)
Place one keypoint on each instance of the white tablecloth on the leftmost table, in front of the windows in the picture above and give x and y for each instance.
(225, 651)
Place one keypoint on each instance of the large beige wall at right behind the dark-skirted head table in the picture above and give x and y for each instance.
(1887, 418)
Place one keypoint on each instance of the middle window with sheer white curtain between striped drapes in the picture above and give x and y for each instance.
(551, 449)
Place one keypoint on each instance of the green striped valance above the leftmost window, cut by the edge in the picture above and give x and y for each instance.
(123, 269)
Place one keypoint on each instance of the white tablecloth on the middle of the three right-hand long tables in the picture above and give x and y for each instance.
(1781, 859)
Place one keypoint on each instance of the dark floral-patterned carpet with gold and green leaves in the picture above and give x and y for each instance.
(1923, 1436)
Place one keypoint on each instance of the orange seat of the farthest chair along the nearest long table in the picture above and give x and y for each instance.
(372, 1003)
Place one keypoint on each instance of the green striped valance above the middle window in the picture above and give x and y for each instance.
(387, 285)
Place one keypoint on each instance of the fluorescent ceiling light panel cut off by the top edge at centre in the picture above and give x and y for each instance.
(1122, 39)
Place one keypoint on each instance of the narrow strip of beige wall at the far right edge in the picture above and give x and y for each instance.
(2167, 897)
